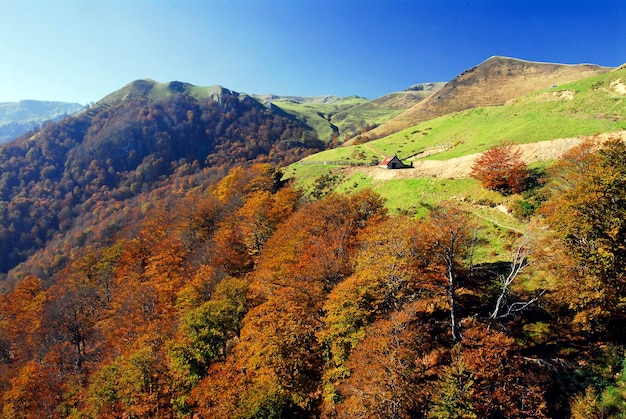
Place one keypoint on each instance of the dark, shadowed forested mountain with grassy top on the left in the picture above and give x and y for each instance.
(129, 143)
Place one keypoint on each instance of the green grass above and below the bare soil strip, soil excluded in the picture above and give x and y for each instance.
(585, 107)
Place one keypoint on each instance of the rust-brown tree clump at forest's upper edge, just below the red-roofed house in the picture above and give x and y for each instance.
(313, 247)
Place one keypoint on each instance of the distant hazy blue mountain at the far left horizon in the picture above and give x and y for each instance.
(17, 118)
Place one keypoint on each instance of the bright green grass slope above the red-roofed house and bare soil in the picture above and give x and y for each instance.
(584, 107)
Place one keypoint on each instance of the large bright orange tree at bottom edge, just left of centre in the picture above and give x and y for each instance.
(273, 371)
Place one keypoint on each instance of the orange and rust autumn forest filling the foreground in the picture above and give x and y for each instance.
(244, 300)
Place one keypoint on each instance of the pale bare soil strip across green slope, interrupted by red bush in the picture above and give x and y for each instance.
(462, 166)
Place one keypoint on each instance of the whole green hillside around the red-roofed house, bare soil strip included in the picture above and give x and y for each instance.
(444, 147)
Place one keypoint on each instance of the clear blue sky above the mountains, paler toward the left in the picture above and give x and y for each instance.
(81, 50)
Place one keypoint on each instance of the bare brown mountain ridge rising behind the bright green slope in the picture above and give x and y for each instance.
(492, 82)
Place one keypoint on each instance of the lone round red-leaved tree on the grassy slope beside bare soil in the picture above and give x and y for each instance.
(502, 169)
